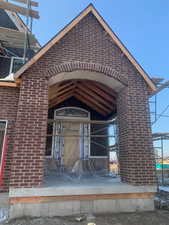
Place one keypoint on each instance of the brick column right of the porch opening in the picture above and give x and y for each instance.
(137, 164)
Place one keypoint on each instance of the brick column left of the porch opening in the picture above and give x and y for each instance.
(30, 133)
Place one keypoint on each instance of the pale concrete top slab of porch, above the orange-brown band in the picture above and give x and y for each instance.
(114, 187)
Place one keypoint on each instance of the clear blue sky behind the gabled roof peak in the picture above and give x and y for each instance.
(143, 27)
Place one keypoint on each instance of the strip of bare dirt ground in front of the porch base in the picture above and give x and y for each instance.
(159, 217)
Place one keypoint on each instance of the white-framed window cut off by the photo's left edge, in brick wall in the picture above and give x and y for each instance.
(3, 126)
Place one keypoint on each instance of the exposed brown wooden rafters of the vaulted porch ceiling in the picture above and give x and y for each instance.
(97, 96)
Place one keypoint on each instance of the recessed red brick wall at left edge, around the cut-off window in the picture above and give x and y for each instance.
(8, 111)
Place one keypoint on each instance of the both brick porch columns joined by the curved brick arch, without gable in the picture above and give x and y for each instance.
(136, 159)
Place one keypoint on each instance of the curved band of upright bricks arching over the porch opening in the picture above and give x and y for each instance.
(95, 67)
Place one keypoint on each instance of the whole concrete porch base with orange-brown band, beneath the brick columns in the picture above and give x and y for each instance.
(71, 199)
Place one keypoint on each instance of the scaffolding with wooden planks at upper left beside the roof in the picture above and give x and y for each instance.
(11, 39)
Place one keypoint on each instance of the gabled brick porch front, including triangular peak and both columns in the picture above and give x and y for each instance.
(86, 47)
